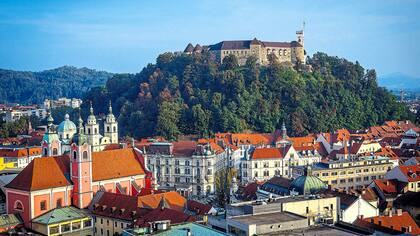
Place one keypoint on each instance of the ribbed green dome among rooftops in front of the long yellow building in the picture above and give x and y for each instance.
(307, 184)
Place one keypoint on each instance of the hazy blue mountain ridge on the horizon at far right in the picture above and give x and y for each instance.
(398, 80)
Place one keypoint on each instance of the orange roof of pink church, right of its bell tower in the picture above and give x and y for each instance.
(115, 164)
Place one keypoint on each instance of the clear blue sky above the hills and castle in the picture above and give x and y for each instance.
(124, 36)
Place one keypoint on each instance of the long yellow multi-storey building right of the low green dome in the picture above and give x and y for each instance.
(350, 174)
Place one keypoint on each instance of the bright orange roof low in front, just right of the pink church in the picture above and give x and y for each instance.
(174, 200)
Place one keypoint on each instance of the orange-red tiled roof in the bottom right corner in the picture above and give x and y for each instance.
(393, 223)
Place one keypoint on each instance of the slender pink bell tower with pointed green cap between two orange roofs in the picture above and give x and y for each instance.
(81, 169)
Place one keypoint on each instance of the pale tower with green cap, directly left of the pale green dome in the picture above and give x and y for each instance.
(51, 144)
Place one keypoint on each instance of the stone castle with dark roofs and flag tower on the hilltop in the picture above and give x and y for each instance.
(285, 52)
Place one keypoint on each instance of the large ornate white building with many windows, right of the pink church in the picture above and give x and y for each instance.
(188, 167)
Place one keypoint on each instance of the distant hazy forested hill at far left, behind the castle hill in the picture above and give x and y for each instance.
(33, 87)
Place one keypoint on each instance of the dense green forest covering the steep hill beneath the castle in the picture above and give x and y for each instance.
(192, 94)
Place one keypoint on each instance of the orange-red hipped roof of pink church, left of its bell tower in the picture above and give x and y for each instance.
(43, 173)
